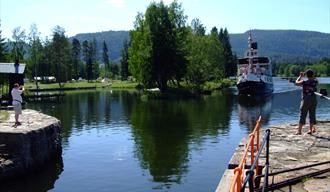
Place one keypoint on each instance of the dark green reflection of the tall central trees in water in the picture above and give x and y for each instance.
(163, 131)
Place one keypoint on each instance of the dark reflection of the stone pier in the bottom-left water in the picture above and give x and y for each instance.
(42, 180)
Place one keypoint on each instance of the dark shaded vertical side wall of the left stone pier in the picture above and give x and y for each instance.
(23, 152)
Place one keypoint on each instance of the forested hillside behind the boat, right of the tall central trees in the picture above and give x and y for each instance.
(285, 45)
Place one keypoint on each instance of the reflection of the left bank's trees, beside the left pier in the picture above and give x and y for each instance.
(77, 110)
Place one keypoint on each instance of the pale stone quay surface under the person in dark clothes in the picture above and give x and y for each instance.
(289, 151)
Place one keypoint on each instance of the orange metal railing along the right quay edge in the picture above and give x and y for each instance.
(250, 147)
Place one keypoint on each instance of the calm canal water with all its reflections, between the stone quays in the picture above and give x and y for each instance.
(114, 141)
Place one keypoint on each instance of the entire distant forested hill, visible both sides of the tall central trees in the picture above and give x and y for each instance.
(280, 45)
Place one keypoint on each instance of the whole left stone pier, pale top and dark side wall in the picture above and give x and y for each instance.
(28, 147)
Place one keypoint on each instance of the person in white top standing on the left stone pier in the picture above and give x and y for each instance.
(16, 93)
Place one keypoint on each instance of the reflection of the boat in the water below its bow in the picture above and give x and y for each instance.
(250, 108)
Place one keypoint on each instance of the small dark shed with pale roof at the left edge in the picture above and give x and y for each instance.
(11, 73)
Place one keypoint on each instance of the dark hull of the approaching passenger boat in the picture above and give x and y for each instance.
(255, 88)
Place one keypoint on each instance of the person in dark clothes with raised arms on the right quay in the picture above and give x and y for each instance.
(308, 101)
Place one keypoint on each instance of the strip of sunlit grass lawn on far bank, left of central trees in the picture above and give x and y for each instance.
(81, 84)
